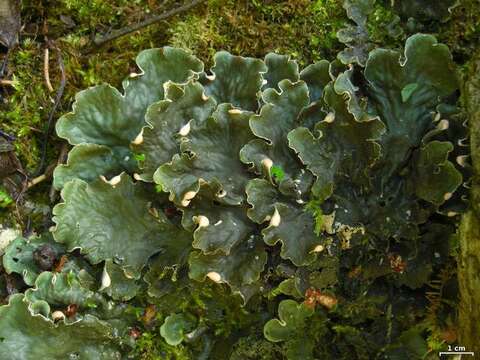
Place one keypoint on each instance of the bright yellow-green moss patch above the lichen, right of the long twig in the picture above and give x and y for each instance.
(306, 30)
